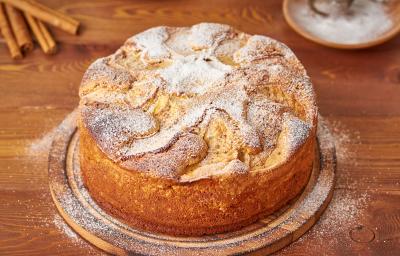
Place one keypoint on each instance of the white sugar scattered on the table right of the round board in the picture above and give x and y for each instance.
(347, 207)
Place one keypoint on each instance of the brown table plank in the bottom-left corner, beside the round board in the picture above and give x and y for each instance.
(30, 225)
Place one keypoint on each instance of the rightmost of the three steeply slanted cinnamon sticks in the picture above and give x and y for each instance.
(41, 33)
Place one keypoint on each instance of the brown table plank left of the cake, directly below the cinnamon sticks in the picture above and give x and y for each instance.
(53, 81)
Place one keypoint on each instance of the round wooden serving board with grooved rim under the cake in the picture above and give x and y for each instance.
(263, 237)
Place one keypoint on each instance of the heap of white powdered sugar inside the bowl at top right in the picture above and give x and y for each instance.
(363, 21)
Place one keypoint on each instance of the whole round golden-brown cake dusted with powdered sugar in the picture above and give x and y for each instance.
(196, 130)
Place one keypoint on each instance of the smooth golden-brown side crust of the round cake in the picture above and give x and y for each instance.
(206, 206)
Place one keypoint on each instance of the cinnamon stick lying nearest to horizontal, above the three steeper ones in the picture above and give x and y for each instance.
(43, 13)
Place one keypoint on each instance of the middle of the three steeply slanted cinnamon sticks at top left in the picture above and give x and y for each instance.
(20, 29)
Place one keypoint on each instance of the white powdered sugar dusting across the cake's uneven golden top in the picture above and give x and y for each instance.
(214, 67)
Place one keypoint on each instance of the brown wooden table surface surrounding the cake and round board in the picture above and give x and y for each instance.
(358, 93)
